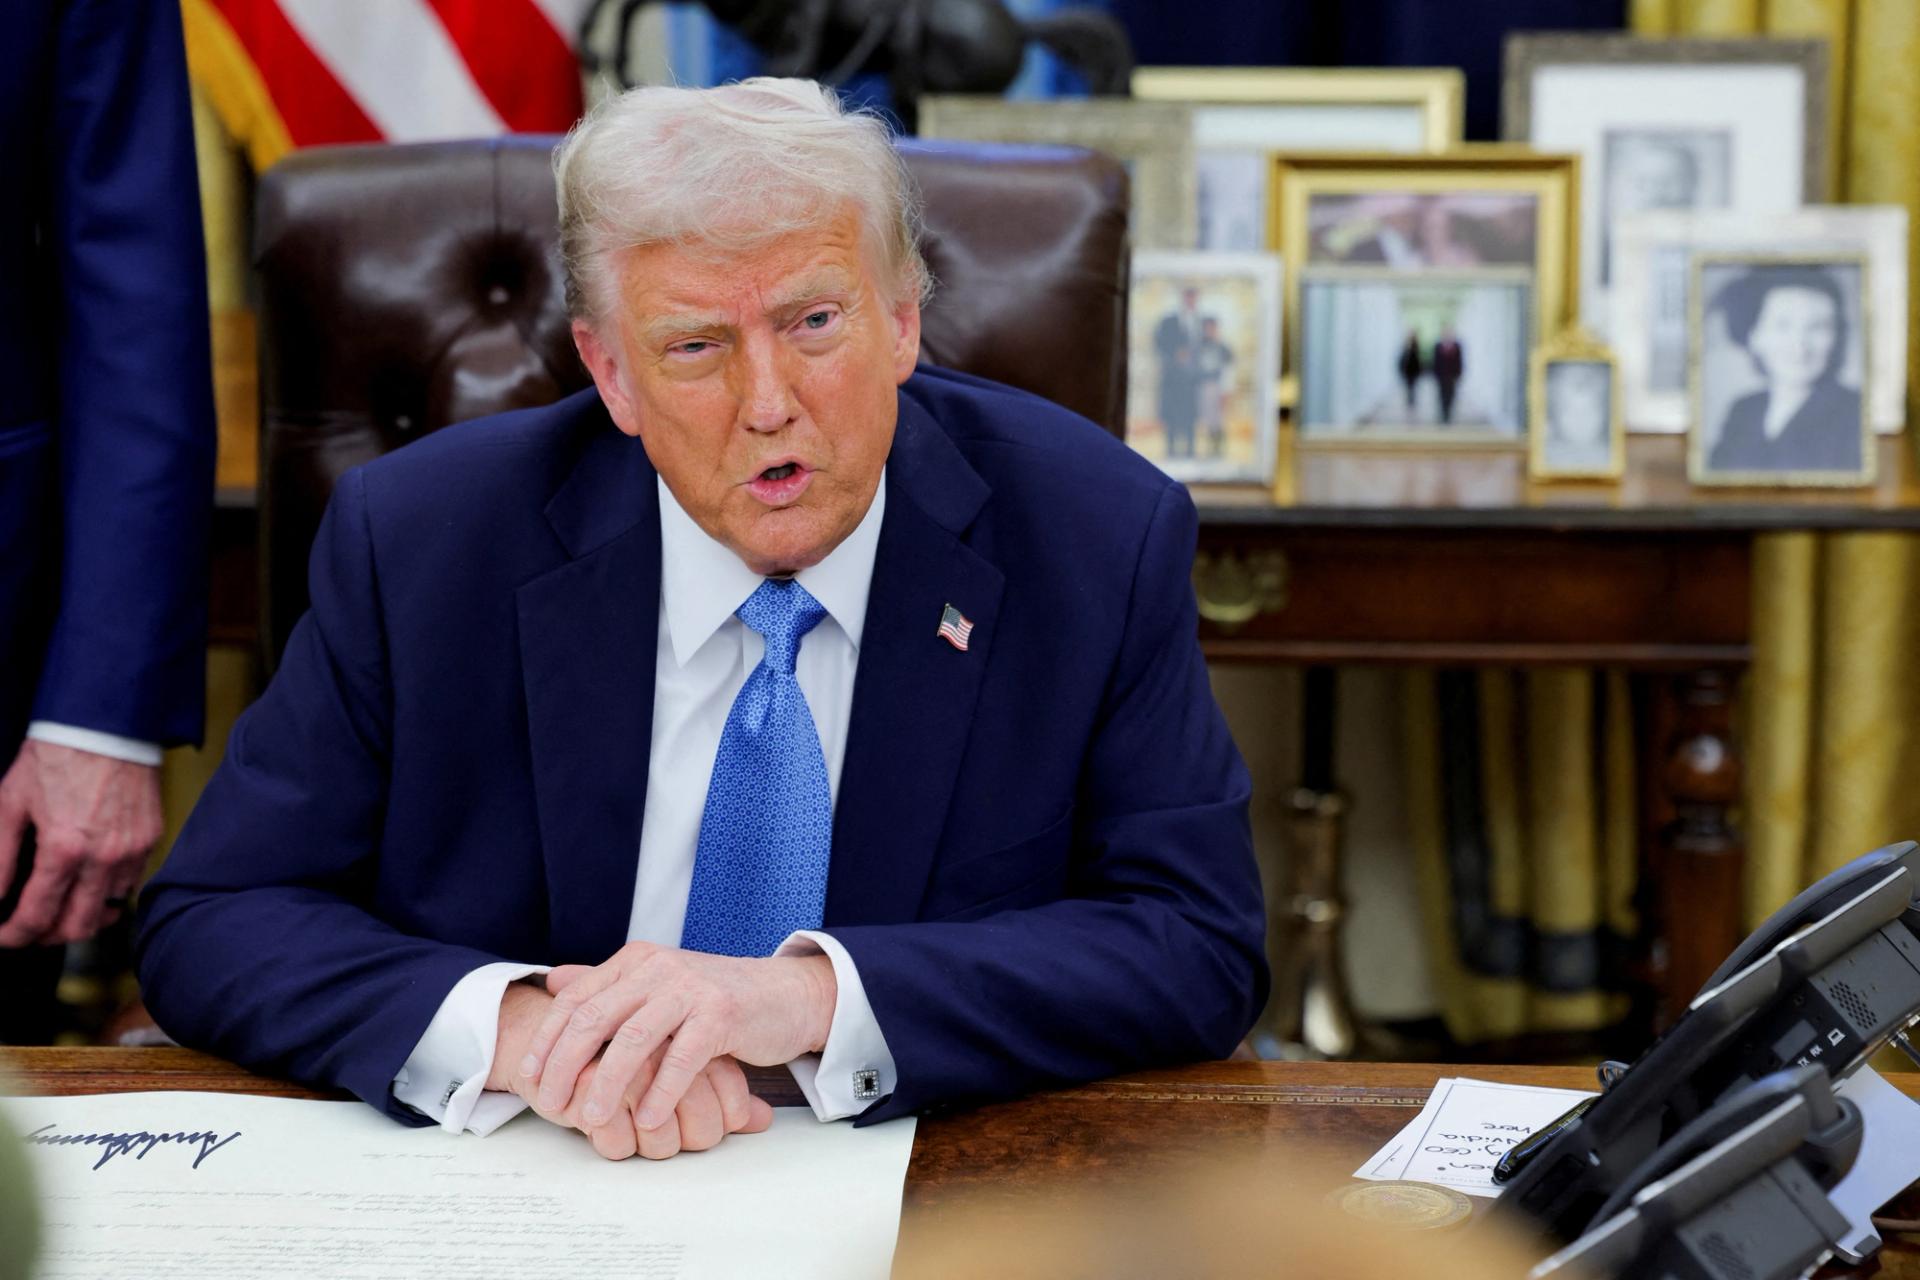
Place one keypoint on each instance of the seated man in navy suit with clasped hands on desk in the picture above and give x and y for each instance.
(779, 701)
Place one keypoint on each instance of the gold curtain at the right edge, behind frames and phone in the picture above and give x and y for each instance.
(1835, 694)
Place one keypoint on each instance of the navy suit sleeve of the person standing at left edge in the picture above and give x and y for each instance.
(135, 421)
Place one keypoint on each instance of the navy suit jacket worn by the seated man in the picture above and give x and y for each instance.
(1042, 853)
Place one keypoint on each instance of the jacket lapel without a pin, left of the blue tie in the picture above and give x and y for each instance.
(588, 636)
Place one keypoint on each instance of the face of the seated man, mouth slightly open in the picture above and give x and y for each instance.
(761, 385)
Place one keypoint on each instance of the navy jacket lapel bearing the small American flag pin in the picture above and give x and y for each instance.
(913, 699)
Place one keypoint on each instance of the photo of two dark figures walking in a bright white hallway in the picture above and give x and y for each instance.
(1414, 358)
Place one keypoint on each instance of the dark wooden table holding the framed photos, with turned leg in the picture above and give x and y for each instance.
(1449, 559)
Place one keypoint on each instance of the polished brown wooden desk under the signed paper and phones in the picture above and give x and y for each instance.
(1289, 1120)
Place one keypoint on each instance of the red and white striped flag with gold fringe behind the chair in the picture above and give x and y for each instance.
(287, 74)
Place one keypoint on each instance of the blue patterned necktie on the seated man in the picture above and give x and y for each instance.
(761, 868)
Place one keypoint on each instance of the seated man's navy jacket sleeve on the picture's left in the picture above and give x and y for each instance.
(347, 995)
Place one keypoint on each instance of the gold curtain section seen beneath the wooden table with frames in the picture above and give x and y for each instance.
(1525, 845)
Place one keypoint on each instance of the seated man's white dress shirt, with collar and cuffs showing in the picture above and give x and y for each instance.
(702, 661)
